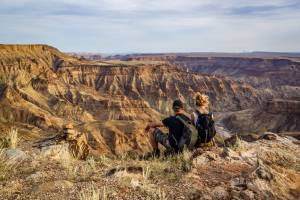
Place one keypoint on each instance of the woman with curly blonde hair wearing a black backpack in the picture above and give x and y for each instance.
(203, 121)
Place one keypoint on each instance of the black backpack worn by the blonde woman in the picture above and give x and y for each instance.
(206, 127)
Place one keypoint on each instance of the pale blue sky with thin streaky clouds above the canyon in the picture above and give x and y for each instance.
(152, 26)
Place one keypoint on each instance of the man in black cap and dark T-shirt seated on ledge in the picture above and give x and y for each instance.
(176, 128)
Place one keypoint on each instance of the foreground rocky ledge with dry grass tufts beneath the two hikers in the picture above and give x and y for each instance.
(261, 169)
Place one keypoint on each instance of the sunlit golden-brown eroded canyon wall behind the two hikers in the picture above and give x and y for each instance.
(42, 89)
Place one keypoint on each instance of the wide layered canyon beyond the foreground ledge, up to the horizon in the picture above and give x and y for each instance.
(42, 89)
